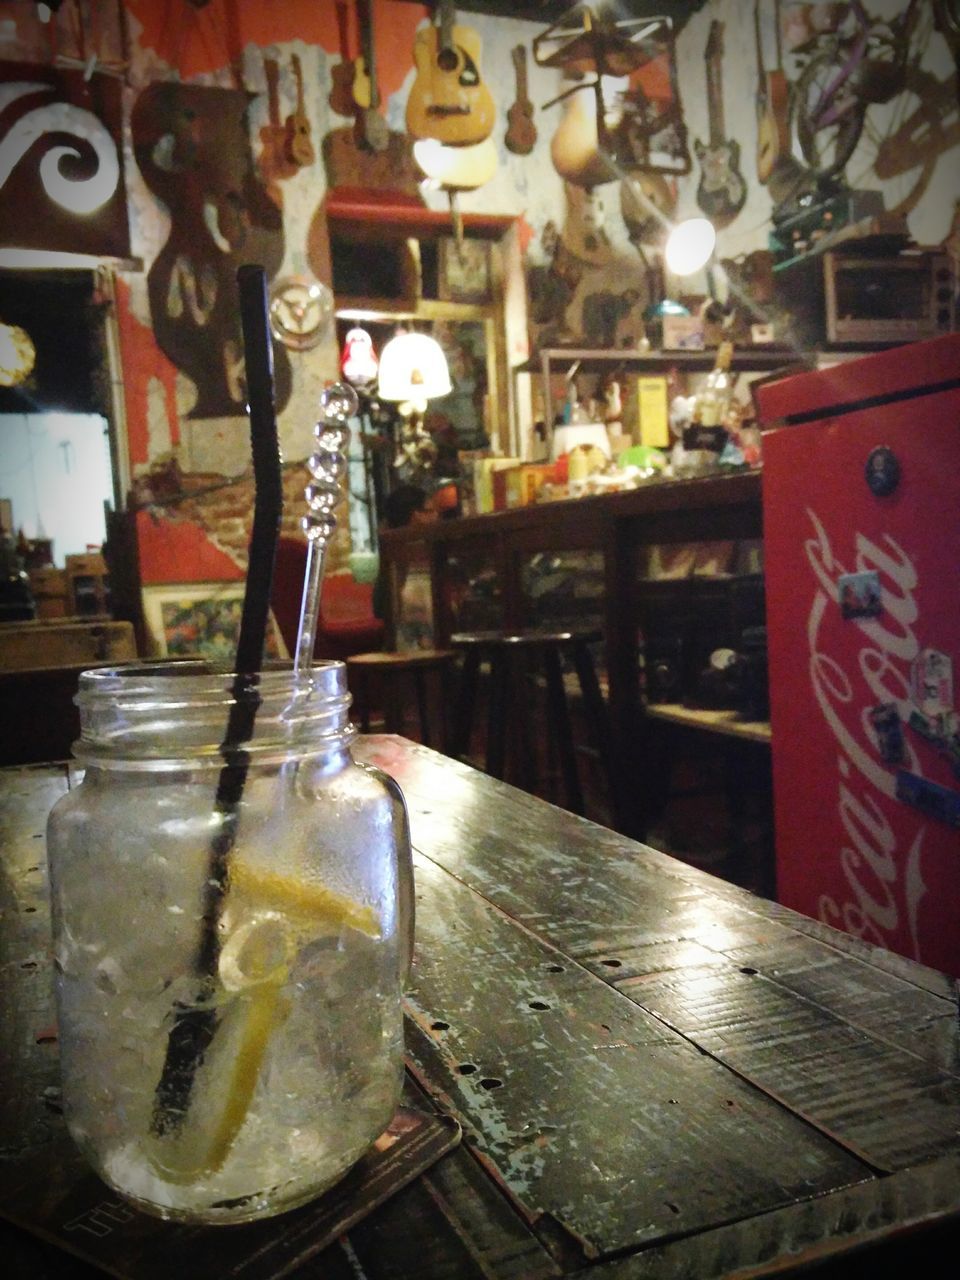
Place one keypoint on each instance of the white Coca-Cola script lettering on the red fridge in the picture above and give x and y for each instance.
(880, 857)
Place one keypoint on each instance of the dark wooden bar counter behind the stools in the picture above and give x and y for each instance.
(493, 572)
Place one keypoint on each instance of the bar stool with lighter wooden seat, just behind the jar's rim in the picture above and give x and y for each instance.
(392, 671)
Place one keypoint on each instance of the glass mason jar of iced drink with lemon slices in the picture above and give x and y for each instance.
(231, 936)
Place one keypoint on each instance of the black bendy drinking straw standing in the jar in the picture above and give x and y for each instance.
(195, 1025)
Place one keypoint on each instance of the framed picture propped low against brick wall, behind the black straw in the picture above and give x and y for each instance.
(202, 620)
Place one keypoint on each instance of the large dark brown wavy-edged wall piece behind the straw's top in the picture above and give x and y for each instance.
(193, 147)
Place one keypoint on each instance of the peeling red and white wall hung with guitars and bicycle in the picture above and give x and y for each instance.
(789, 125)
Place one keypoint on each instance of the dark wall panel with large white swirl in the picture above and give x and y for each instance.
(61, 162)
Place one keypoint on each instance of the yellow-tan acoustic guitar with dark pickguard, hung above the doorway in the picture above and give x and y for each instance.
(449, 100)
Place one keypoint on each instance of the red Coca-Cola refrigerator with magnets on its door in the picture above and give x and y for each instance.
(862, 563)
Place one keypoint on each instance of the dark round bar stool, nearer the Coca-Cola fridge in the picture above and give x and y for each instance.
(511, 656)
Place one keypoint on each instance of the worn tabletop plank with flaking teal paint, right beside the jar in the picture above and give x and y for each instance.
(587, 1108)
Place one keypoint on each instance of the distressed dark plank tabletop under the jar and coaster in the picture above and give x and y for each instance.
(657, 1075)
